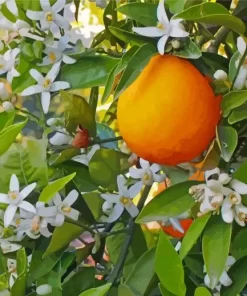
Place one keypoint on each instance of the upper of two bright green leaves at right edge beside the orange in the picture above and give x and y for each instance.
(232, 100)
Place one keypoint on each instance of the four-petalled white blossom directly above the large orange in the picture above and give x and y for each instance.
(164, 28)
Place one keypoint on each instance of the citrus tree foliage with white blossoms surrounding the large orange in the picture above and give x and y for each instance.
(73, 197)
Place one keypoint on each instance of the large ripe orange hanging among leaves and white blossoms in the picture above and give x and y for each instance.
(168, 115)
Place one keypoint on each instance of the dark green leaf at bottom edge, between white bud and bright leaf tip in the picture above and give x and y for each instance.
(79, 282)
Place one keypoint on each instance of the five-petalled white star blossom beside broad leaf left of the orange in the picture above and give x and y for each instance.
(45, 85)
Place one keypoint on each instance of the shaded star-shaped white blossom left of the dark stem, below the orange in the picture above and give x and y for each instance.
(122, 200)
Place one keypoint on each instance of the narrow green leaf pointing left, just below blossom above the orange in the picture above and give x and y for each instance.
(131, 38)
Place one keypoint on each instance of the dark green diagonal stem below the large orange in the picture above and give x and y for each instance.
(128, 239)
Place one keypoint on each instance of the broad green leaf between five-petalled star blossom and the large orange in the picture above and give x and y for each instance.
(95, 71)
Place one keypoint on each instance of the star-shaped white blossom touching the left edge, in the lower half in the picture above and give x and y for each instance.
(15, 199)
